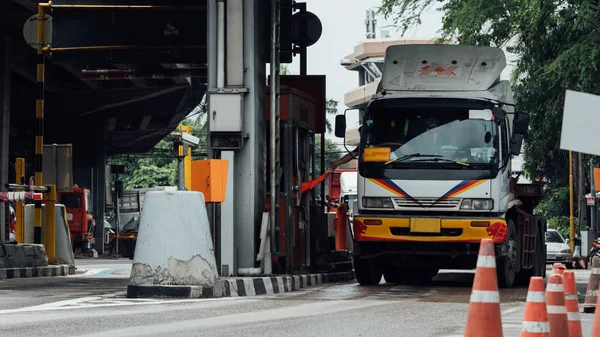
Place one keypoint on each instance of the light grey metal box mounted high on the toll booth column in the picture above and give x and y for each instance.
(225, 112)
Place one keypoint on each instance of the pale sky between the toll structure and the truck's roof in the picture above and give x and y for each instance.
(338, 39)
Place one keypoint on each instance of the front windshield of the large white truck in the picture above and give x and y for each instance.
(435, 135)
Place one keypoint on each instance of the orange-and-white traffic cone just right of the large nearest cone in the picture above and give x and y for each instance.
(535, 320)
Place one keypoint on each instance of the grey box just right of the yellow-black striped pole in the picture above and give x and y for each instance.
(57, 166)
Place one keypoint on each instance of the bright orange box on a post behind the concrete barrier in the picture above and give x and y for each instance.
(210, 177)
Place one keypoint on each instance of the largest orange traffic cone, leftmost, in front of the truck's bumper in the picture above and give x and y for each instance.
(484, 318)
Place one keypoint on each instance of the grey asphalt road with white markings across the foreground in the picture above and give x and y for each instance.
(93, 304)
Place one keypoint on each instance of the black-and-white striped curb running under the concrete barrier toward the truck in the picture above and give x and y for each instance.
(238, 287)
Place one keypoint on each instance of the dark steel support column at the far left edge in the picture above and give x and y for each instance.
(4, 128)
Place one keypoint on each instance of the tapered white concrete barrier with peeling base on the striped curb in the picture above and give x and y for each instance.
(174, 244)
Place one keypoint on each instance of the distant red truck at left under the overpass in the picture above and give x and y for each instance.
(78, 203)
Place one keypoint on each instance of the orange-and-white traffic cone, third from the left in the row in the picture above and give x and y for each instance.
(555, 305)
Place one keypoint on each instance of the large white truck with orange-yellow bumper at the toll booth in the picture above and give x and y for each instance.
(434, 170)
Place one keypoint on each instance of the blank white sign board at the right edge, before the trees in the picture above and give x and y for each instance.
(580, 123)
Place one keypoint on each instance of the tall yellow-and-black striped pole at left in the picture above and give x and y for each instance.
(39, 123)
